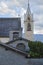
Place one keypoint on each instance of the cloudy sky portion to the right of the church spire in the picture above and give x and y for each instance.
(37, 9)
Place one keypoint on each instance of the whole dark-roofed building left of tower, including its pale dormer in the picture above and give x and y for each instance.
(10, 28)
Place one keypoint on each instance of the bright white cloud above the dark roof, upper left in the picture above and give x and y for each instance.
(4, 9)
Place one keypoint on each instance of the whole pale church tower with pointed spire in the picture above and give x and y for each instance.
(28, 24)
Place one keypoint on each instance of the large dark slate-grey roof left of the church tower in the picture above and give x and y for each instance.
(9, 24)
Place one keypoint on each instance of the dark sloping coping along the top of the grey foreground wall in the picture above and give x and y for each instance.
(14, 49)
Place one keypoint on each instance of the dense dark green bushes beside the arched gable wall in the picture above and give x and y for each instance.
(36, 49)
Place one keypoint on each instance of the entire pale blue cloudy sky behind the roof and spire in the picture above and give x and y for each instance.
(15, 8)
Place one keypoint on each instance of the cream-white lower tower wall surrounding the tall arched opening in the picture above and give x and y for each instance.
(28, 34)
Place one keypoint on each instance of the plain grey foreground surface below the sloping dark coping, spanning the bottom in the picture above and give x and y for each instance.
(12, 58)
